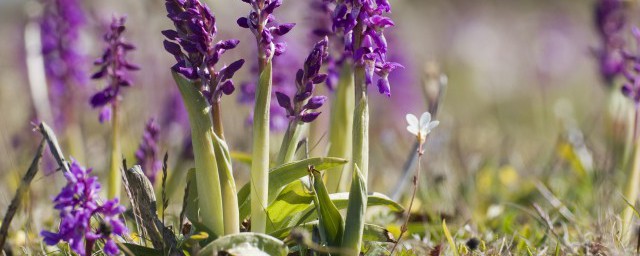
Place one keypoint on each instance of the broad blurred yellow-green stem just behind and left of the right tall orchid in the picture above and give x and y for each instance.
(340, 130)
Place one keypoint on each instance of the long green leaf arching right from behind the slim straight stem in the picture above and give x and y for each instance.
(283, 175)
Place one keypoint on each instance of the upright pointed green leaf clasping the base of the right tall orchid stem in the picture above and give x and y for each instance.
(355, 212)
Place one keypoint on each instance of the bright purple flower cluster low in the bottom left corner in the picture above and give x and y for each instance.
(78, 202)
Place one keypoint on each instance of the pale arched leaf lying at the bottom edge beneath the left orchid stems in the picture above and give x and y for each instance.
(246, 244)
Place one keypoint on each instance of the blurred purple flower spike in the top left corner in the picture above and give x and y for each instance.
(60, 26)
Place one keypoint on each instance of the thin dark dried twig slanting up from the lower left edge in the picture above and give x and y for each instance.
(22, 189)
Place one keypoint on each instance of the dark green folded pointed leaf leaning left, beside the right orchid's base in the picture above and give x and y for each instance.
(331, 224)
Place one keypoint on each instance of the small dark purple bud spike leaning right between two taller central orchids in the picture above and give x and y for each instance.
(306, 79)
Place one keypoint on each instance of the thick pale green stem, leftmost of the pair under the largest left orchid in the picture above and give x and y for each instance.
(202, 137)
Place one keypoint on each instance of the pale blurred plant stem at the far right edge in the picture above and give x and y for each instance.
(631, 191)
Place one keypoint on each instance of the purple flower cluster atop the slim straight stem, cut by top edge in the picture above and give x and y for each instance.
(264, 26)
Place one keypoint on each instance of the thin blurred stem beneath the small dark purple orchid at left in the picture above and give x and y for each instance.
(115, 179)
